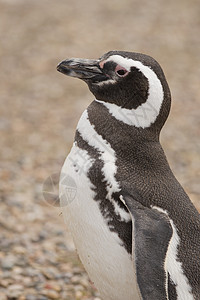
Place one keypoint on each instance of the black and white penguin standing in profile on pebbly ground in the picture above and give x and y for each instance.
(135, 229)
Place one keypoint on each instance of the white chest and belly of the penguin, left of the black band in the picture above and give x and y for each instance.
(105, 259)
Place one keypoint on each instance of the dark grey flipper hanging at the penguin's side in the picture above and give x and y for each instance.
(151, 235)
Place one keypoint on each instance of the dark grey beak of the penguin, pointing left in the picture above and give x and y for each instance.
(85, 69)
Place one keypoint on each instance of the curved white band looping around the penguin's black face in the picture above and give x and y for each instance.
(145, 114)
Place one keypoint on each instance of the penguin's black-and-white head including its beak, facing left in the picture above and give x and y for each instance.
(131, 85)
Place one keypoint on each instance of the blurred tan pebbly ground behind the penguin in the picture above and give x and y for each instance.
(39, 110)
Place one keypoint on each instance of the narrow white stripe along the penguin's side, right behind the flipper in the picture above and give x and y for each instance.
(174, 266)
